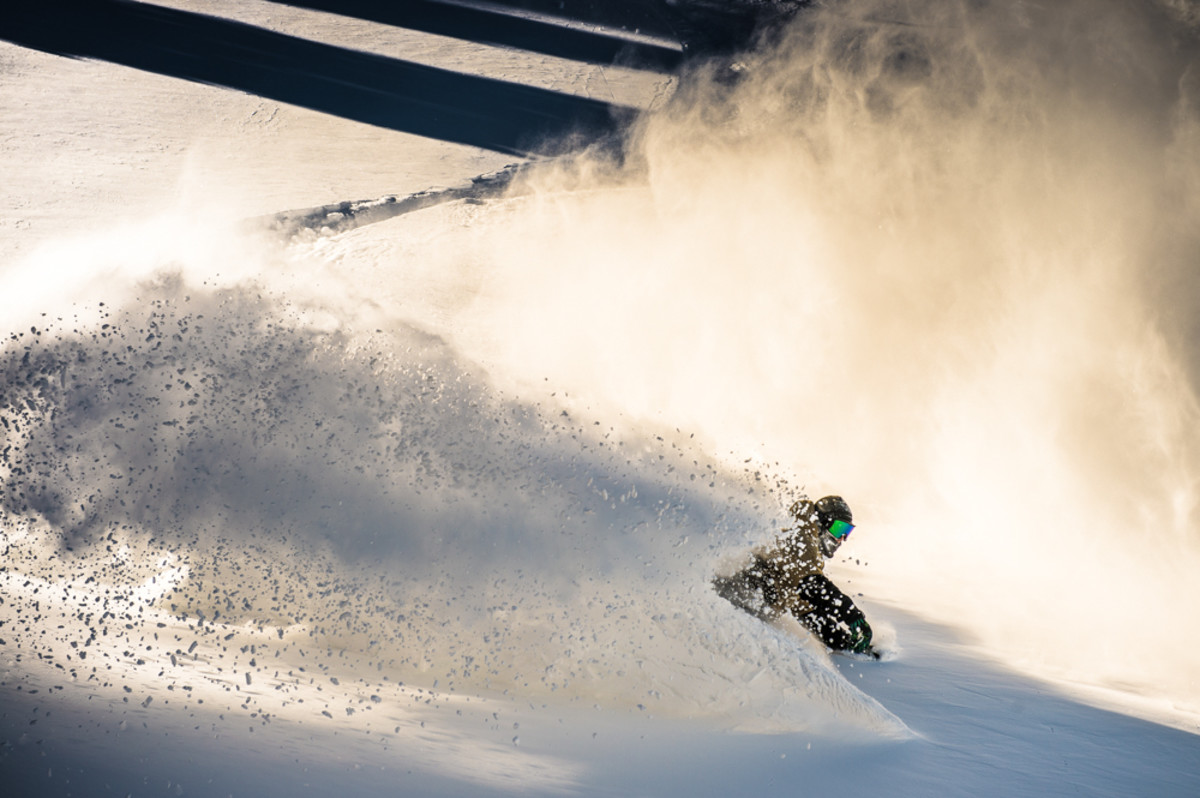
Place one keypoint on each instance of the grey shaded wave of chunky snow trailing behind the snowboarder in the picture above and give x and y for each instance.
(368, 495)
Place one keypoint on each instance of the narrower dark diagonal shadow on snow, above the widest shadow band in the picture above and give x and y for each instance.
(491, 26)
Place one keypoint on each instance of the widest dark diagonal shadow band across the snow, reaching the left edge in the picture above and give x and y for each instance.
(374, 89)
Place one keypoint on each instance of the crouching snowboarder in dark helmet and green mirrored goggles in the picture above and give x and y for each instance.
(790, 577)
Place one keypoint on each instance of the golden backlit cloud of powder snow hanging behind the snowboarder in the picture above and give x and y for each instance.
(938, 259)
